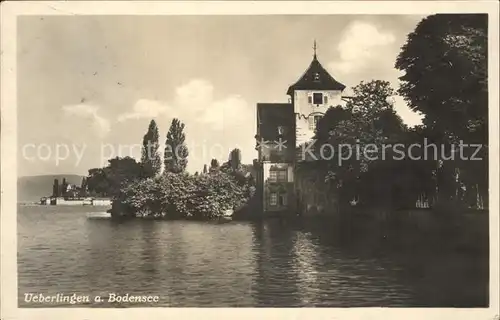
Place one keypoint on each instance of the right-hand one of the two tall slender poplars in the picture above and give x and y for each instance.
(176, 151)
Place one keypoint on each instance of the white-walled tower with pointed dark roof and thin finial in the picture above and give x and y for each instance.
(311, 96)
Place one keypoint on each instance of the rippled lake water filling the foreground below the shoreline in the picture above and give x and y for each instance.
(238, 264)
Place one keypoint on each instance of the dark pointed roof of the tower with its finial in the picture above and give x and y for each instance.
(316, 78)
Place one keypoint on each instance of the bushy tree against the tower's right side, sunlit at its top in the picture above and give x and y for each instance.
(368, 121)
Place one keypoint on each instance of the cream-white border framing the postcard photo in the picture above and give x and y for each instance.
(8, 201)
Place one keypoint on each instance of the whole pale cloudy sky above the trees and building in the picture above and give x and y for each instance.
(88, 86)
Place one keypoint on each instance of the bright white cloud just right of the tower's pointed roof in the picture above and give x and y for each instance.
(362, 44)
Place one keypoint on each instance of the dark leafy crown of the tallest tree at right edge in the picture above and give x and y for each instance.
(445, 66)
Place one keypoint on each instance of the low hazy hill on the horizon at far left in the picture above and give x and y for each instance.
(32, 188)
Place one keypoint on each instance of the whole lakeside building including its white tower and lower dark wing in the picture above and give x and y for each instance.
(282, 128)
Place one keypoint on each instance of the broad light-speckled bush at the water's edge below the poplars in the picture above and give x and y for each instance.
(180, 195)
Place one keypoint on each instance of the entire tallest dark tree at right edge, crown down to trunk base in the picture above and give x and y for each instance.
(445, 66)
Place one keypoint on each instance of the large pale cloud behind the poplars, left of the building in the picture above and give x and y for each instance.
(214, 125)
